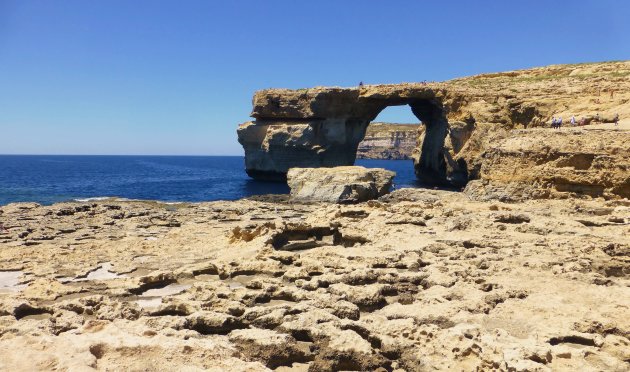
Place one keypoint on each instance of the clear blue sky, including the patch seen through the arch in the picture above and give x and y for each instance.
(176, 77)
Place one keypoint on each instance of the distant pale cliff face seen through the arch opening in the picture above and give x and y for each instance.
(389, 141)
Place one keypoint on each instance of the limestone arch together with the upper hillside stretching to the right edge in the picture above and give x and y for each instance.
(322, 127)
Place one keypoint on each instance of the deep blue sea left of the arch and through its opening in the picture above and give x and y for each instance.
(49, 179)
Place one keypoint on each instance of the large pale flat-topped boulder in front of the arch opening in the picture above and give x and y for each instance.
(349, 184)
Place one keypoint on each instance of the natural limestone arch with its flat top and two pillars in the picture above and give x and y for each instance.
(322, 127)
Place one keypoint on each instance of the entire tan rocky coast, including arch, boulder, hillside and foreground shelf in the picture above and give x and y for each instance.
(527, 269)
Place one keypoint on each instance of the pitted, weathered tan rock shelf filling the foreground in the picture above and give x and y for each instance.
(416, 280)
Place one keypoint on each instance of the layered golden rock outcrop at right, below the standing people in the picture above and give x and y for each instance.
(547, 163)
